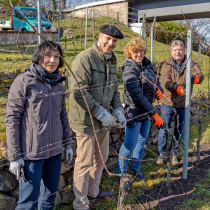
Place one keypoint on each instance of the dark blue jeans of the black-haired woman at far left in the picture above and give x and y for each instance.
(41, 176)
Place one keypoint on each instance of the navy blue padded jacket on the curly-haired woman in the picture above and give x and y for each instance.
(139, 89)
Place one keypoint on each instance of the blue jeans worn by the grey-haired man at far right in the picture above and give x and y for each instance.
(168, 113)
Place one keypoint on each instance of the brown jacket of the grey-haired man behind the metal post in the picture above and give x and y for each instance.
(169, 73)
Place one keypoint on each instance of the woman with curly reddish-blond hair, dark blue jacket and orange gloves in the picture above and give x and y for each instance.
(141, 86)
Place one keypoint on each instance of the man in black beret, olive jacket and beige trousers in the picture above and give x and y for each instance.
(96, 73)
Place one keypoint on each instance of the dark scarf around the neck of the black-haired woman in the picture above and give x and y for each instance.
(49, 78)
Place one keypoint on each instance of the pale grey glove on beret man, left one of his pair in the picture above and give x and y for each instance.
(105, 117)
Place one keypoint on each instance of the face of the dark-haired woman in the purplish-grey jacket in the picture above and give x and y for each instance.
(50, 61)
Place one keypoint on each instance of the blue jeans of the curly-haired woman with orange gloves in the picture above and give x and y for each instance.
(135, 139)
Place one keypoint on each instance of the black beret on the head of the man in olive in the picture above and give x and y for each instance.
(111, 30)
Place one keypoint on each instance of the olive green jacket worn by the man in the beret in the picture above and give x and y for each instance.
(98, 79)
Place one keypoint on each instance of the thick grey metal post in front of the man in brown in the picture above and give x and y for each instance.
(187, 102)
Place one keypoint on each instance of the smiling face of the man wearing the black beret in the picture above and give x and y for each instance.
(107, 43)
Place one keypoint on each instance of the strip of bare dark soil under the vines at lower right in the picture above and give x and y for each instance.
(181, 189)
